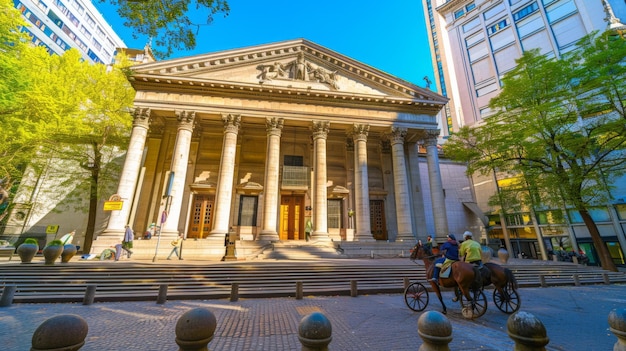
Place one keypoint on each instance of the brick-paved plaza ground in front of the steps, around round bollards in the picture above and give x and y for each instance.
(367, 322)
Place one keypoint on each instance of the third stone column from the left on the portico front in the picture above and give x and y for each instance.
(225, 180)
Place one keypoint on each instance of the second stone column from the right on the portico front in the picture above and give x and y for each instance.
(401, 185)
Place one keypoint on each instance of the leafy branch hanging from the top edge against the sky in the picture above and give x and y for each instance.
(172, 24)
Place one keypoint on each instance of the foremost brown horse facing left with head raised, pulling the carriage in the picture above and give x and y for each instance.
(463, 276)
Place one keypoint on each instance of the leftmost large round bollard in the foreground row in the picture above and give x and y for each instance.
(65, 332)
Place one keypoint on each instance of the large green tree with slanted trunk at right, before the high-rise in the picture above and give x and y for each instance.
(560, 126)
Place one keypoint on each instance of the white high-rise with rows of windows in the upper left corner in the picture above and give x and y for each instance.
(60, 25)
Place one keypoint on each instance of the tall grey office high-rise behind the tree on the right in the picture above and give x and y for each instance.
(474, 43)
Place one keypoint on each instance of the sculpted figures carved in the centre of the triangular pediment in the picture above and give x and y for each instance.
(298, 70)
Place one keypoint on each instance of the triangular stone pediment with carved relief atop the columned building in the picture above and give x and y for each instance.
(296, 64)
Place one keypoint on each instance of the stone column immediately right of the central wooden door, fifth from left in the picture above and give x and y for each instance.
(320, 196)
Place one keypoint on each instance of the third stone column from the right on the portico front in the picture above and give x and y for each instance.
(361, 184)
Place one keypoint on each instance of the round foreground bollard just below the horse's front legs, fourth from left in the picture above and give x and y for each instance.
(436, 331)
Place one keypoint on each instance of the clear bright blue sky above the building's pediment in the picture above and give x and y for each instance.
(390, 36)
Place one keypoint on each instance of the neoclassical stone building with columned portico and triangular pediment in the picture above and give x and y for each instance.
(257, 141)
